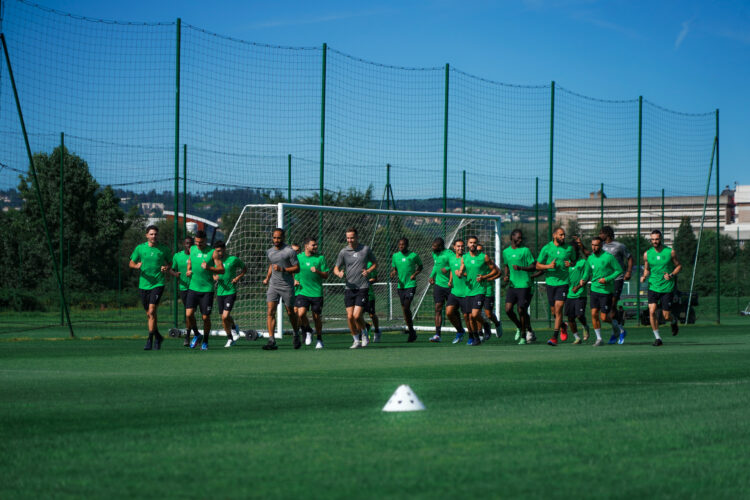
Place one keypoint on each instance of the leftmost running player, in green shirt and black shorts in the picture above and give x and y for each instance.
(152, 260)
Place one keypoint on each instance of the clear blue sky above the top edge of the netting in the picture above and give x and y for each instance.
(688, 56)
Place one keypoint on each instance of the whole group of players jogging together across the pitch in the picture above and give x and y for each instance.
(462, 278)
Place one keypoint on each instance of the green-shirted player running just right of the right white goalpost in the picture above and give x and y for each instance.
(518, 264)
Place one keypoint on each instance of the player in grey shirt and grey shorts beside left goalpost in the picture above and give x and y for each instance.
(280, 280)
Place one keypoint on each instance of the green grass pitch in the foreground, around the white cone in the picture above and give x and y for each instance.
(103, 418)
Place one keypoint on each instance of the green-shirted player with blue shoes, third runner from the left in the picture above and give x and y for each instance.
(201, 288)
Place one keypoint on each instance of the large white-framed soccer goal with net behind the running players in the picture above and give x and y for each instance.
(380, 229)
